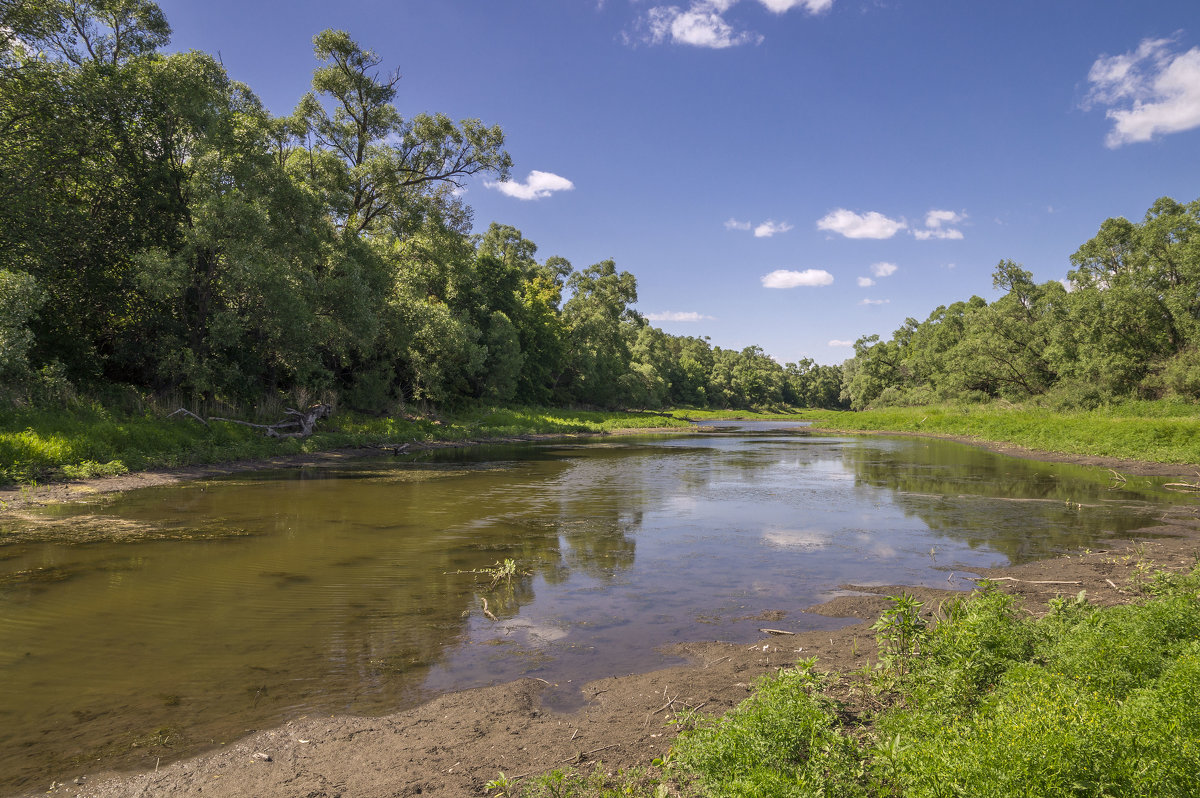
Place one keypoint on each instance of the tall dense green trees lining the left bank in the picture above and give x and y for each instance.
(160, 230)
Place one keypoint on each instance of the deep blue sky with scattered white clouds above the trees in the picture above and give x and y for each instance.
(785, 173)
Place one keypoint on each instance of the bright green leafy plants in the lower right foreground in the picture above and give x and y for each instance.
(986, 703)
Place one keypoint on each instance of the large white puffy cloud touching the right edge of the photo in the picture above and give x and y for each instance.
(1149, 92)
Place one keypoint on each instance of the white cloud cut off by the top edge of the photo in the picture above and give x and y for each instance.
(703, 23)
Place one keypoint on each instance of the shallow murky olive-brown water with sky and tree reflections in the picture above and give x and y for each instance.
(339, 590)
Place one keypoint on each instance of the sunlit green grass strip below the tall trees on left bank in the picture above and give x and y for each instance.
(94, 441)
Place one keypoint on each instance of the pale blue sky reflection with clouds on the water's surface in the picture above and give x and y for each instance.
(728, 527)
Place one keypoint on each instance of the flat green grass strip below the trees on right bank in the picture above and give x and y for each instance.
(1154, 431)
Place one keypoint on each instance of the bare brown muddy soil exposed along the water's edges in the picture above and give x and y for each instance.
(457, 743)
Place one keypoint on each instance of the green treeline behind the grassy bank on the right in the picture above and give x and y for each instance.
(1126, 323)
